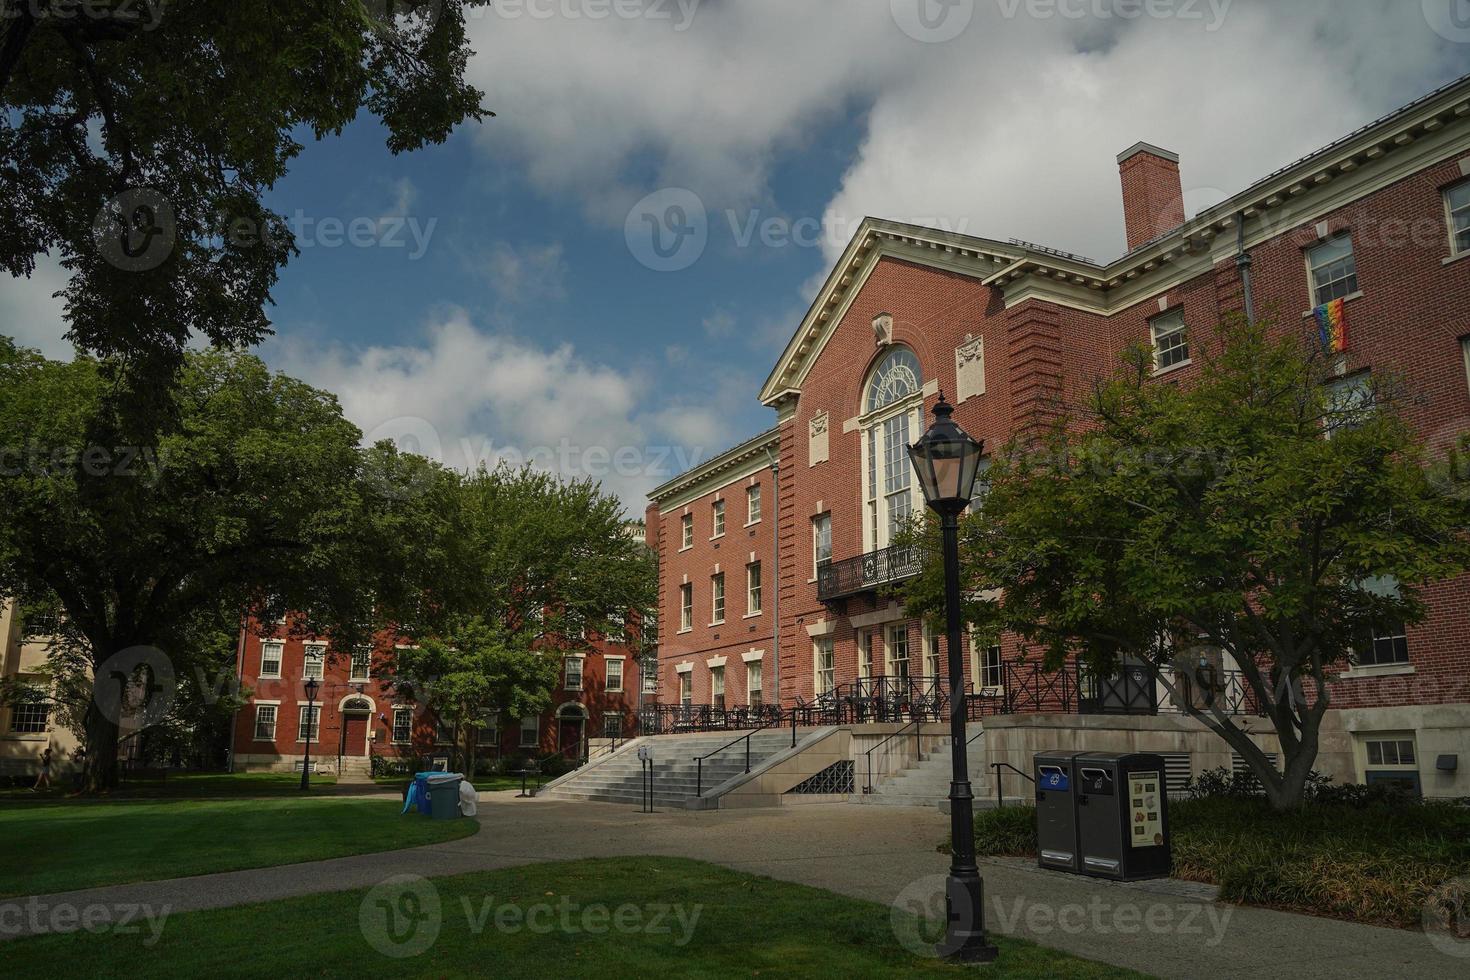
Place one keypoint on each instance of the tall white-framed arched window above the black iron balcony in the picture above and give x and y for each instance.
(894, 399)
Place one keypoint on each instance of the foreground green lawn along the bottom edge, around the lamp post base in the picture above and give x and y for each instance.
(720, 923)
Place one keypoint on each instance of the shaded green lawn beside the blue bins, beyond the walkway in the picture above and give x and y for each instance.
(73, 846)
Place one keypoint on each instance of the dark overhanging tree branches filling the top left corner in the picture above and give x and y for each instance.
(139, 139)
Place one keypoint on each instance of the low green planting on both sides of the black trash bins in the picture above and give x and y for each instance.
(1375, 863)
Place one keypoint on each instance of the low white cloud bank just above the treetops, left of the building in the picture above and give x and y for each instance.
(465, 396)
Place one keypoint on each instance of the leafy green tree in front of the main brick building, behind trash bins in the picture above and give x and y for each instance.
(1274, 509)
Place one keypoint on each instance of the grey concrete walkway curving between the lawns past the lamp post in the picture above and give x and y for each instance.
(883, 854)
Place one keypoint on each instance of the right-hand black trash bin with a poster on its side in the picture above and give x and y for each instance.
(1122, 816)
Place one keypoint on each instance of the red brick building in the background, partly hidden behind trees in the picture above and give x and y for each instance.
(359, 716)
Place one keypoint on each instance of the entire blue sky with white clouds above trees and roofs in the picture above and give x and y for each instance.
(524, 295)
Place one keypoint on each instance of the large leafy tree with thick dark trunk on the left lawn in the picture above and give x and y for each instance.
(248, 497)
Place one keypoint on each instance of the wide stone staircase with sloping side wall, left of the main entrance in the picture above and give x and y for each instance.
(618, 778)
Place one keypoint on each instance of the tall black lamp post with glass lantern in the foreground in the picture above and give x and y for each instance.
(947, 462)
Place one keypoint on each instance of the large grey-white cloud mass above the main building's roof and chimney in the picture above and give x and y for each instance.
(1009, 130)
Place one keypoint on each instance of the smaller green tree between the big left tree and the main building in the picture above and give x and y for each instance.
(540, 565)
